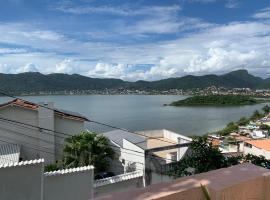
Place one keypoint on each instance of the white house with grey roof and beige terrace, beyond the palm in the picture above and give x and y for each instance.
(132, 148)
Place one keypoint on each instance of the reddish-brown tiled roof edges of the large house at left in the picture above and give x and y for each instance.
(34, 106)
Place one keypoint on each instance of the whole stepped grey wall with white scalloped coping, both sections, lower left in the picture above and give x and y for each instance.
(26, 181)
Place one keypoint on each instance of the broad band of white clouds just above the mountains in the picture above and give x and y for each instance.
(212, 48)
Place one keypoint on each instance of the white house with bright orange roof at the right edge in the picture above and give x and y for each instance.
(257, 147)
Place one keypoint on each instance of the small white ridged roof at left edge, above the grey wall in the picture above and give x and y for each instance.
(9, 153)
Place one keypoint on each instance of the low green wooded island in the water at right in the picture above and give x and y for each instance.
(216, 100)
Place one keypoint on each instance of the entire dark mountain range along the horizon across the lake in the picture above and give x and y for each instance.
(36, 82)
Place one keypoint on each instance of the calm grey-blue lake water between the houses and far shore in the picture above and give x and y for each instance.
(135, 112)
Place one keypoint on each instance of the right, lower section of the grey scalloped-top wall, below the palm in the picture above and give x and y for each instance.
(69, 186)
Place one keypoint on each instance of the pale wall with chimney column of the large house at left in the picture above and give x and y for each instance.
(31, 146)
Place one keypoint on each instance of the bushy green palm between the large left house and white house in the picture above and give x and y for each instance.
(87, 148)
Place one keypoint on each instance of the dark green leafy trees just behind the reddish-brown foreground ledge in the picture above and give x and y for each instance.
(204, 157)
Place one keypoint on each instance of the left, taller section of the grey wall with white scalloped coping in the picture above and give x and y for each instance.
(22, 181)
